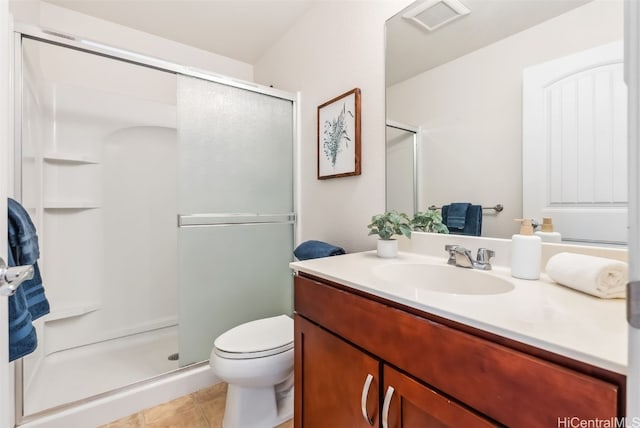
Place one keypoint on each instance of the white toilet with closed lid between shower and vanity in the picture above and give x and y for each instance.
(256, 360)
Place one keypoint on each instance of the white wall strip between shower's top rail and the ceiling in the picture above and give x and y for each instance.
(54, 17)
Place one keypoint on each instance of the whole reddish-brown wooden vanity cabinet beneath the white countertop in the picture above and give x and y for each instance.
(361, 361)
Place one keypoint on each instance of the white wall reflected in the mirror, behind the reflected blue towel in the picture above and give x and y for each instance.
(481, 161)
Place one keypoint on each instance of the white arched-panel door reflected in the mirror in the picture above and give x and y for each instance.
(574, 144)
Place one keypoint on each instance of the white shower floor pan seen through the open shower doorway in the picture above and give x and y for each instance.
(86, 371)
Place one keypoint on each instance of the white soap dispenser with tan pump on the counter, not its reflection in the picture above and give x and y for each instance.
(526, 252)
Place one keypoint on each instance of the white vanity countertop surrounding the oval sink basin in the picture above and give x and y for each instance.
(539, 313)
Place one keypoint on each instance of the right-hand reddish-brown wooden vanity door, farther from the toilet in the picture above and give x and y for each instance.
(410, 404)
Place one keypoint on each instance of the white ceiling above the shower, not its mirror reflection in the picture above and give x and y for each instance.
(239, 29)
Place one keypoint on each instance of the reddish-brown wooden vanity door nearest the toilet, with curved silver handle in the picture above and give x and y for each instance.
(336, 384)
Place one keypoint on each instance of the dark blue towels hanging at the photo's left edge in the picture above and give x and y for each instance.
(29, 302)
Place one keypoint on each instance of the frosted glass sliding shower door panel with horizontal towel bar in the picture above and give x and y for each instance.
(235, 205)
